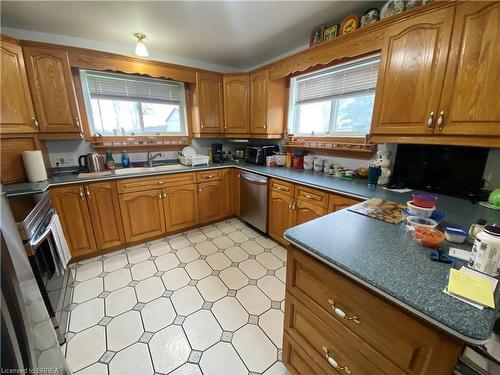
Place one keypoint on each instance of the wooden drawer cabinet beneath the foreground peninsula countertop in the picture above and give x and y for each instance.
(380, 337)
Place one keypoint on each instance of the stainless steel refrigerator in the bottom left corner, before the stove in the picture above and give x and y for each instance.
(28, 341)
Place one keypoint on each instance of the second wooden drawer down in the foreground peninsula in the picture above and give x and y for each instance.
(326, 343)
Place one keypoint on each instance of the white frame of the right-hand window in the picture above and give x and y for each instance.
(293, 113)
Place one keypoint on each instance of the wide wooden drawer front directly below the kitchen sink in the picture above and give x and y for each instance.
(130, 185)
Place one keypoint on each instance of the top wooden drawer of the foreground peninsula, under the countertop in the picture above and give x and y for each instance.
(412, 346)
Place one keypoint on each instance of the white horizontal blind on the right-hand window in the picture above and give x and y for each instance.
(351, 78)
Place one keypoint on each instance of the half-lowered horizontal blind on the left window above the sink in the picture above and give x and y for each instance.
(110, 85)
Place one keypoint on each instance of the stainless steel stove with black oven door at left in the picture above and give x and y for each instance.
(33, 213)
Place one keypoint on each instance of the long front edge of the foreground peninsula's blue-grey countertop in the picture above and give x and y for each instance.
(430, 320)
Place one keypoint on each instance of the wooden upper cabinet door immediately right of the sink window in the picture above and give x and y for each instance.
(210, 102)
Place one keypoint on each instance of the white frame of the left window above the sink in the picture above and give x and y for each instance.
(182, 104)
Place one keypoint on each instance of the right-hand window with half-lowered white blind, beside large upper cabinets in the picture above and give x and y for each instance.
(334, 102)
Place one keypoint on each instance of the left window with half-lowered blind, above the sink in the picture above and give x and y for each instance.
(125, 104)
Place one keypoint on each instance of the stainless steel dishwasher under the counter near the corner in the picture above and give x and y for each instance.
(253, 200)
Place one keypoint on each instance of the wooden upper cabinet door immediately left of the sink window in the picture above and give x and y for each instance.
(52, 88)
